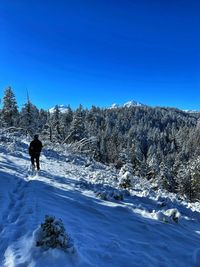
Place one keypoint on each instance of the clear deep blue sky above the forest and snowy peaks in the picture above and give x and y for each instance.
(101, 51)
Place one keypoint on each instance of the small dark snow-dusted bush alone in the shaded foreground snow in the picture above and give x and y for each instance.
(52, 234)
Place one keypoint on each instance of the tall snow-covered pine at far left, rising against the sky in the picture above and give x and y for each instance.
(9, 113)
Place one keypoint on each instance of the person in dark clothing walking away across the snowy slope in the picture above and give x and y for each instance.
(34, 151)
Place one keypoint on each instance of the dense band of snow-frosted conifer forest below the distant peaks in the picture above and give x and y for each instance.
(161, 144)
